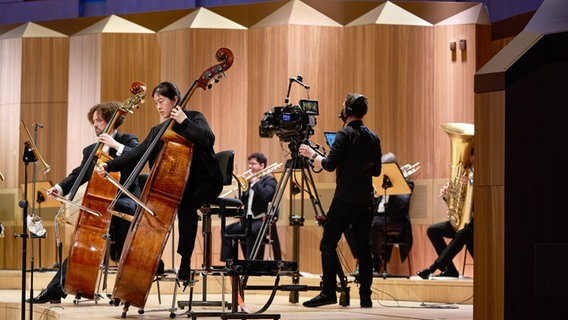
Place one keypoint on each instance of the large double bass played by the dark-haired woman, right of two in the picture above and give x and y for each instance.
(161, 195)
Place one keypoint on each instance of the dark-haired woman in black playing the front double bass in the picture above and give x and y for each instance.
(205, 180)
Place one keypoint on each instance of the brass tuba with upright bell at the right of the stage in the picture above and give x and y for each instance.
(460, 194)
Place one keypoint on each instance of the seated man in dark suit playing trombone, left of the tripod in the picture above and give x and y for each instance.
(255, 199)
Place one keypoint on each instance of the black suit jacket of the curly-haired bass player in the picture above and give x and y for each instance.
(129, 141)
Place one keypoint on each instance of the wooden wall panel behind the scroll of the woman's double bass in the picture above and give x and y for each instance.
(188, 53)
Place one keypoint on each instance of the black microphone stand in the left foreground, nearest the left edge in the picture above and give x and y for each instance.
(28, 157)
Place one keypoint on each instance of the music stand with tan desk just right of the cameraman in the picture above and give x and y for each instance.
(392, 182)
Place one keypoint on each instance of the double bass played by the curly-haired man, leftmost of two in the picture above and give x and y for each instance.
(86, 252)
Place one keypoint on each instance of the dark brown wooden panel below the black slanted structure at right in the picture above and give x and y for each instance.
(490, 217)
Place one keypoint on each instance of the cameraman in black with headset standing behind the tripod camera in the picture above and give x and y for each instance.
(356, 154)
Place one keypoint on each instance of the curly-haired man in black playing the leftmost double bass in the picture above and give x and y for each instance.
(116, 144)
